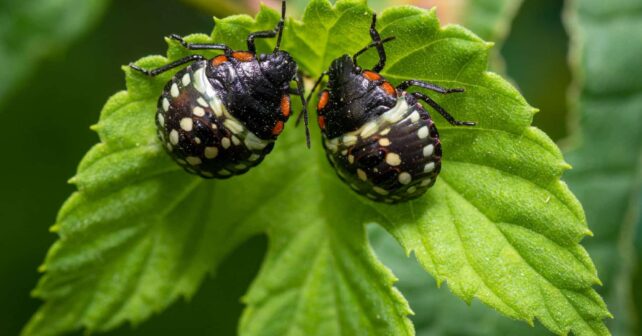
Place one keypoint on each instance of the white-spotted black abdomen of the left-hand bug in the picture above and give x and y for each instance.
(198, 131)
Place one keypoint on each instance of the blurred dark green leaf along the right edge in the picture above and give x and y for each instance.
(608, 153)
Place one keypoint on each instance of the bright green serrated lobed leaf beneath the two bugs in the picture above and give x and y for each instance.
(498, 225)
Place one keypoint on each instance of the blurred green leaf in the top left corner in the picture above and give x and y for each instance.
(31, 30)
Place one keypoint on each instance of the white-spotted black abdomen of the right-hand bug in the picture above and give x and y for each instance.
(392, 158)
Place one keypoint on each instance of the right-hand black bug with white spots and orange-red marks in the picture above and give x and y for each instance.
(380, 139)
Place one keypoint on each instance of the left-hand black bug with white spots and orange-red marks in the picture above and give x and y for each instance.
(219, 117)
